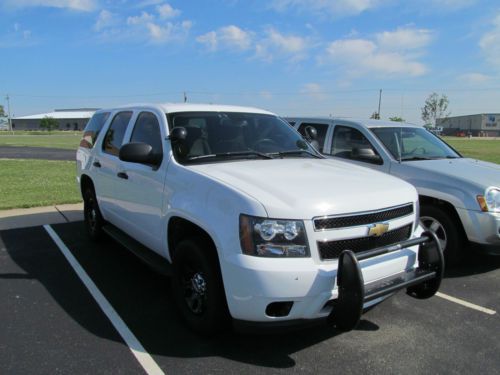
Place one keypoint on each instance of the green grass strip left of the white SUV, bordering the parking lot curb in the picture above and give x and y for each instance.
(30, 183)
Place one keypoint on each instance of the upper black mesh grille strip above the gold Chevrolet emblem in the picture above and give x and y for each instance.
(363, 219)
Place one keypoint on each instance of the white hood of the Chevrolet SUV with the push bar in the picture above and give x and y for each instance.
(305, 188)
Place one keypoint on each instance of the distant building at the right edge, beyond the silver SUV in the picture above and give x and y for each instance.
(480, 125)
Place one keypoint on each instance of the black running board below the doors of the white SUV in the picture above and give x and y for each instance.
(148, 256)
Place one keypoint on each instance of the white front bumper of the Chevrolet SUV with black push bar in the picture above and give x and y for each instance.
(320, 290)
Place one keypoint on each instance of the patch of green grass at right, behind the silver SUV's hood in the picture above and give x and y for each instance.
(477, 148)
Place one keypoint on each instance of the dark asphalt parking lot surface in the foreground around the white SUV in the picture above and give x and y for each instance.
(51, 324)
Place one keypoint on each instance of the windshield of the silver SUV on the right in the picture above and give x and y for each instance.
(413, 144)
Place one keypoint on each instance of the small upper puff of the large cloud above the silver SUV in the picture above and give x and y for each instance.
(404, 38)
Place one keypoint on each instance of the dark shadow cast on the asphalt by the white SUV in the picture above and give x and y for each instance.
(142, 299)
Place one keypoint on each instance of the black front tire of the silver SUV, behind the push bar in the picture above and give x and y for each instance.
(447, 230)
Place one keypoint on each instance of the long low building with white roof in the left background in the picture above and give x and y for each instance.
(68, 119)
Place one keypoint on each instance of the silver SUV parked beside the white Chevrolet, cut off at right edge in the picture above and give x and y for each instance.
(459, 197)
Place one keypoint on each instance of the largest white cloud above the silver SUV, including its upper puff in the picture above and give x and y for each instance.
(389, 53)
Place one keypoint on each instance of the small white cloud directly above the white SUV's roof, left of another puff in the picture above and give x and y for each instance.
(228, 37)
